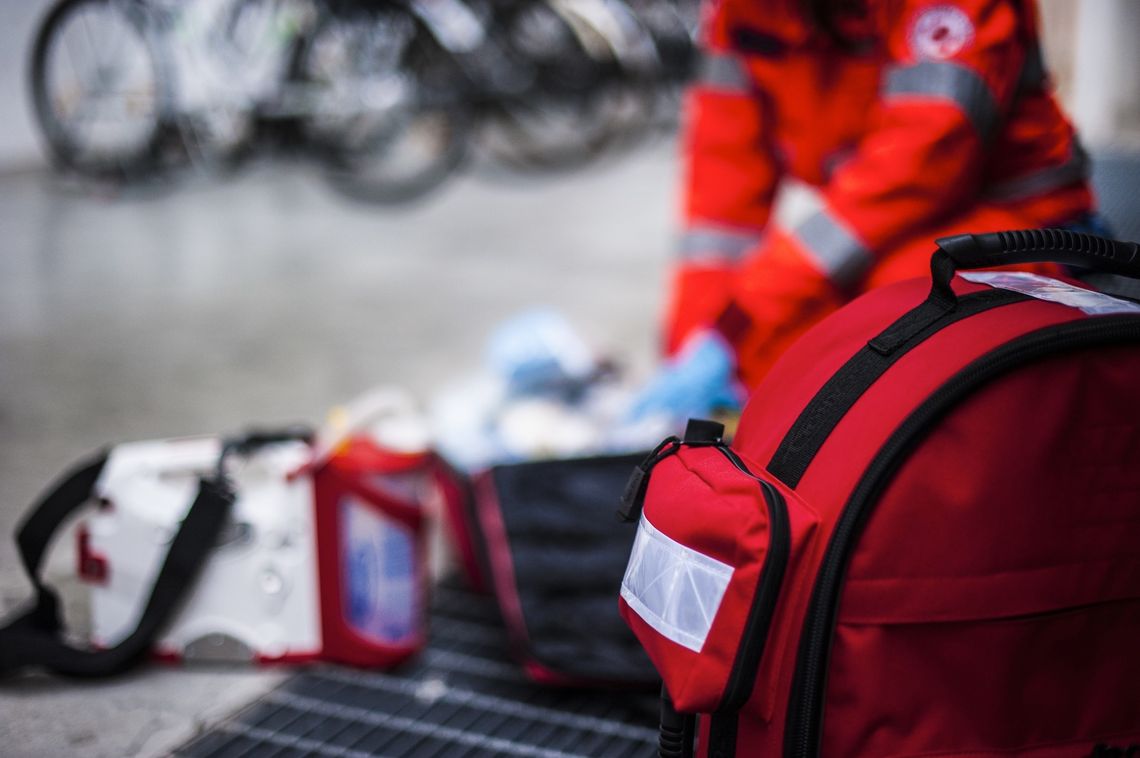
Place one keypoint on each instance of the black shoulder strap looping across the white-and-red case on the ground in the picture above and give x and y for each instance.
(35, 638)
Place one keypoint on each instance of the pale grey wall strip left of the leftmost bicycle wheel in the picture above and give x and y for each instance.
(19, 144)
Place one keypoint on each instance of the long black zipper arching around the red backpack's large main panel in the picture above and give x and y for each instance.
(808, 716)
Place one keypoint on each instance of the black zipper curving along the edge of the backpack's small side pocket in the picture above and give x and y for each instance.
(759, 622)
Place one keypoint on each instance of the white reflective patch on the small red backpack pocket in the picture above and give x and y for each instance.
(674, 589)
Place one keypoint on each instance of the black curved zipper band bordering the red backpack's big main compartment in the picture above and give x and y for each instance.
(805, 716)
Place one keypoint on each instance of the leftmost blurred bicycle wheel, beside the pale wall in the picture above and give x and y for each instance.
(99, 88)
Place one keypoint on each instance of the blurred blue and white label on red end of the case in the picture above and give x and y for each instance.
(378, 557)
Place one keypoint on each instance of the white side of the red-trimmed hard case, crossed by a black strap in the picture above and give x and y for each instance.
(257, 597)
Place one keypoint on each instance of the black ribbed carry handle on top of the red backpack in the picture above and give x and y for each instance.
(1029, 247)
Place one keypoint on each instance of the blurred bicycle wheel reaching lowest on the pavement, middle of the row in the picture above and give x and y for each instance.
(390, 124)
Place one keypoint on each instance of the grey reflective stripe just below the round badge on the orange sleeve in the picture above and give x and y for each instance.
(949, 81)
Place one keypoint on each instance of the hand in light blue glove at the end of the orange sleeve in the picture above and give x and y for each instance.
(701, 379)
